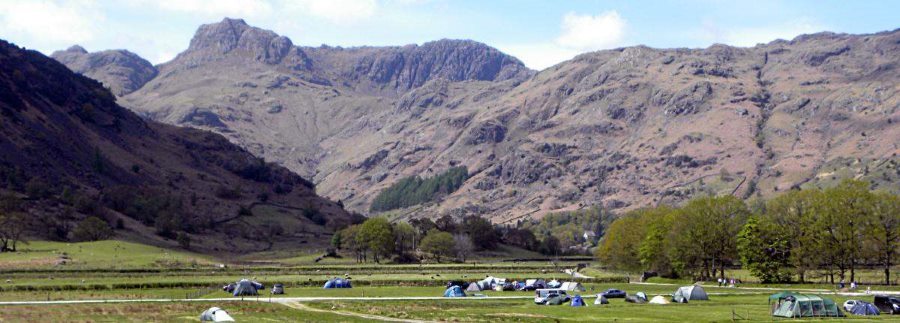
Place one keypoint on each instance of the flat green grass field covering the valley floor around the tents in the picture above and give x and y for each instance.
(114, 271)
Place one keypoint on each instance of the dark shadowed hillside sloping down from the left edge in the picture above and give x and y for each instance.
(67, 151)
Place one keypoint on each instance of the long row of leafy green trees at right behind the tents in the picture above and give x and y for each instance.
(835, 230)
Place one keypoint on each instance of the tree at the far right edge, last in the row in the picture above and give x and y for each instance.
(883, 230)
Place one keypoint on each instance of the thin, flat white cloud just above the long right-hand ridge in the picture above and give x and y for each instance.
(751, 36)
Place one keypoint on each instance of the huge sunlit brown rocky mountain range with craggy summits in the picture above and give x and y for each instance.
(622, 128)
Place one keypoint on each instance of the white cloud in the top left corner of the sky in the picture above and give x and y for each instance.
(50, 24)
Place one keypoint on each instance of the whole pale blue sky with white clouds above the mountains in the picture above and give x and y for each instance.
(540, 33)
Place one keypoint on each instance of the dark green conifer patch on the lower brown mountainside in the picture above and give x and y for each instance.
(414, 190)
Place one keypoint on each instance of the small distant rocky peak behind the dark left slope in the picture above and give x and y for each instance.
(120, 70)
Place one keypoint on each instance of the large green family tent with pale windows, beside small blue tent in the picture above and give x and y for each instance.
(799, 305)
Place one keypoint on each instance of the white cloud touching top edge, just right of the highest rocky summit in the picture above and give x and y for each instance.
(335, 11)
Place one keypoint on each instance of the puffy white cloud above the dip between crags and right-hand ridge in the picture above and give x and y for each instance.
(589, 33)
